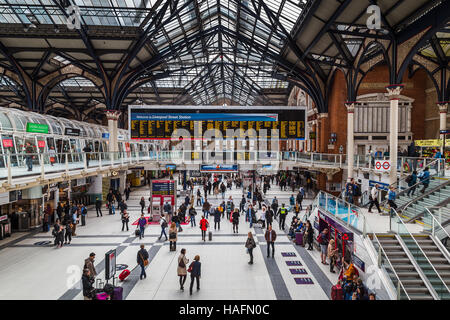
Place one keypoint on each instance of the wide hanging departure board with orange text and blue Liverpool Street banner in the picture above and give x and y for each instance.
(148, 123)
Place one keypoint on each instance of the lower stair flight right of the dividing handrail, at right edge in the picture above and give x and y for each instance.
(439, 261)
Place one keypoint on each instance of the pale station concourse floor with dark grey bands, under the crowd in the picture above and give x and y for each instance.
(29, 271)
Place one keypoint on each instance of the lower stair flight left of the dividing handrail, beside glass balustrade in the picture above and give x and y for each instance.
(403, 267)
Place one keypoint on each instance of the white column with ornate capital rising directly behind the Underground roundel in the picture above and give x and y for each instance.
(393, 94)
